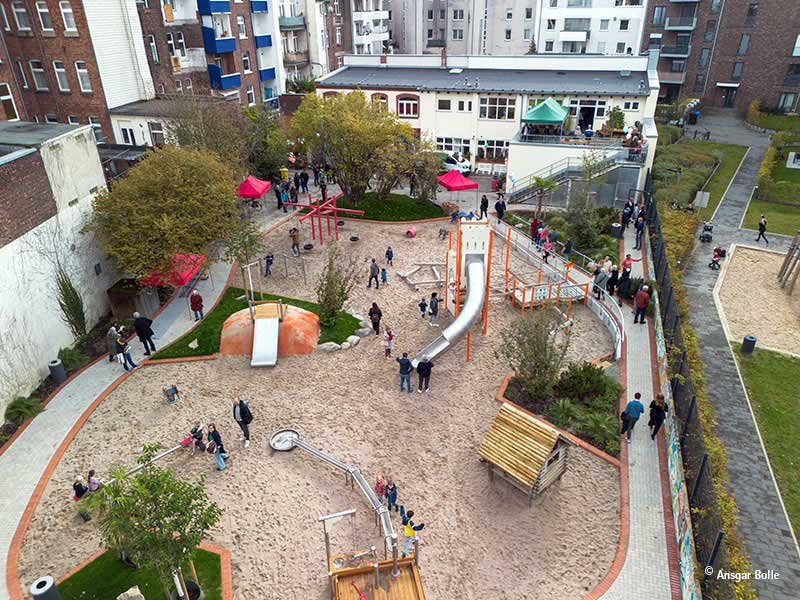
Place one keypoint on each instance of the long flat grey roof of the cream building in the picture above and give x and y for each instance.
(605, 83)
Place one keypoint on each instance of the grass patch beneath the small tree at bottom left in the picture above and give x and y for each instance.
(106, 578)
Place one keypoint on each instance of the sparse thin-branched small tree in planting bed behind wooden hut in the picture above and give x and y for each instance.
(534, 352)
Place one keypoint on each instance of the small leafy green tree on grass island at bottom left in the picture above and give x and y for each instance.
(156, 518)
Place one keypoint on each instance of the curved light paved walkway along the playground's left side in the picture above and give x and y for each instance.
(24, 462)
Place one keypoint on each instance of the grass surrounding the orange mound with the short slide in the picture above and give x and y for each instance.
(208, 331)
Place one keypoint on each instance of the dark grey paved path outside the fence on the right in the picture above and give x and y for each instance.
(763, 525)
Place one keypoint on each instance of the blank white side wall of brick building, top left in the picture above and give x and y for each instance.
(119, 49)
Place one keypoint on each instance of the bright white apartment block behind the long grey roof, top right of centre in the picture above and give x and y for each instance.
(590, 26)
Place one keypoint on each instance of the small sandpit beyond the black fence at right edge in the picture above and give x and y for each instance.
(755, 304)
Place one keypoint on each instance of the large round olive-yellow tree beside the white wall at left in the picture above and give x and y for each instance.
(175, 201)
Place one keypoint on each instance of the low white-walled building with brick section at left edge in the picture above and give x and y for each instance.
(50, 175)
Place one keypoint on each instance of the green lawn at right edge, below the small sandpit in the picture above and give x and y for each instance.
(771, 381)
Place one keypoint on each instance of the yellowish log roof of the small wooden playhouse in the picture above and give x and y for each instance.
(519, 444)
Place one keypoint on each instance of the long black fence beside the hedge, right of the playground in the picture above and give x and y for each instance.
(697, 465)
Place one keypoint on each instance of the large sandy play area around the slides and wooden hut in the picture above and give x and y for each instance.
(481, 539)
